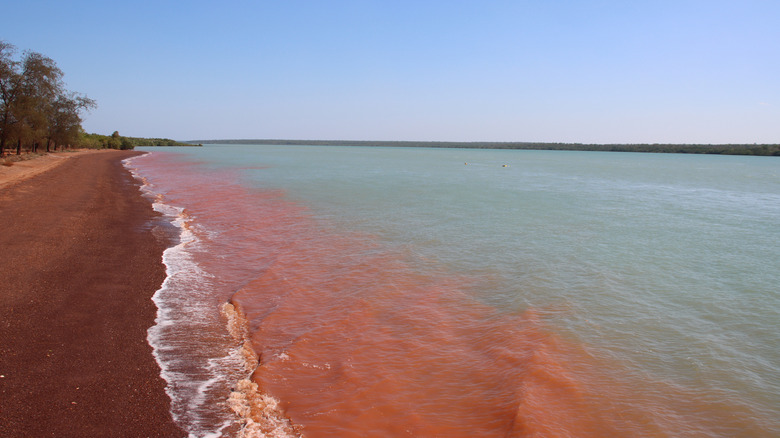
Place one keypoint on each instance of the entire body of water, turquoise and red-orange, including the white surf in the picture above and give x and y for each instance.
(374, 291)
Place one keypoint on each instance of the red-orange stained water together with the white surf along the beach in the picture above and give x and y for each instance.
(329, 332)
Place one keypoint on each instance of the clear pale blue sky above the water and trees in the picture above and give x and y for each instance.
(599, 71)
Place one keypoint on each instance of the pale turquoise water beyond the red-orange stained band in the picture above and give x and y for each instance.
(663, 269)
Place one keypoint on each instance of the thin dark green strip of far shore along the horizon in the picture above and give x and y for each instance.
(717, 149)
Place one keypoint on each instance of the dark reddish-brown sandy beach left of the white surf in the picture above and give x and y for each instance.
(79, 262)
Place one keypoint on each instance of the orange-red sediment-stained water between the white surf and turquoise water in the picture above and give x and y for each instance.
(350, 338)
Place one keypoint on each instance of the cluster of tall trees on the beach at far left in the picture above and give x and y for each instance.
(35, 107)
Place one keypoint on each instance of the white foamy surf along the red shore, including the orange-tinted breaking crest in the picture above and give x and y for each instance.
(203, 365)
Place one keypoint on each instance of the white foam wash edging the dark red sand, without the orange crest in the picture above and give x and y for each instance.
(195, 375)
